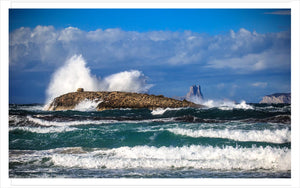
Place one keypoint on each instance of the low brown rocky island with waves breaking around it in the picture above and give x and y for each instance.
(116, 99)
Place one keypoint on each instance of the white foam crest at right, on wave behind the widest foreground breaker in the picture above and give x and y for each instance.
(271, 136)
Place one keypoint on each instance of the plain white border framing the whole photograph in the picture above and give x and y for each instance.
(295, 80)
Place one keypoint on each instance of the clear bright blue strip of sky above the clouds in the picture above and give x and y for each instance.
(211, 21)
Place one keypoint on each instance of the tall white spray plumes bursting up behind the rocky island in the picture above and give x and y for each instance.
(75, 74)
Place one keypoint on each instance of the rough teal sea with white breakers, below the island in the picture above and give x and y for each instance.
(229, 141)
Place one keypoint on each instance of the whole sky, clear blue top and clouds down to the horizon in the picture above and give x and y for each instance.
(234, 54)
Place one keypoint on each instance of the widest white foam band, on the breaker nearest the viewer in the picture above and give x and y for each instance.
(195, 157)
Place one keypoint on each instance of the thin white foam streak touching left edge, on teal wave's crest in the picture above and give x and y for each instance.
(44, 130)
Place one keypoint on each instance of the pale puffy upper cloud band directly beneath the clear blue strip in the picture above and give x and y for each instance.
(242, 51)
